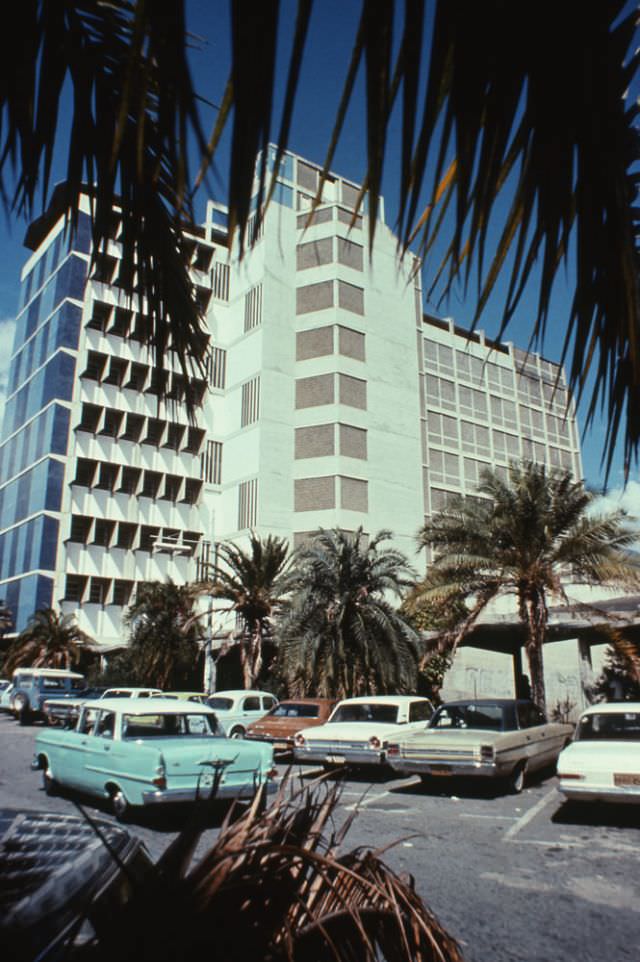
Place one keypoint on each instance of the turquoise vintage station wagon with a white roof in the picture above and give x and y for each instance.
(143, 752)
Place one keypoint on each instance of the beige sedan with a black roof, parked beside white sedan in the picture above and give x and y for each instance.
(501, 738)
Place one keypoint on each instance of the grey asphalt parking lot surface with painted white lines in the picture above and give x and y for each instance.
(523, 877)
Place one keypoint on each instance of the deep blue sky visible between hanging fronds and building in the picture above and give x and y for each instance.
(328, 47)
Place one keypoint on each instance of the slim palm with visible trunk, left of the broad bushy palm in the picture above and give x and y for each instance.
(254, 584)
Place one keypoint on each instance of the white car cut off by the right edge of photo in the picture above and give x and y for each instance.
(602, 764)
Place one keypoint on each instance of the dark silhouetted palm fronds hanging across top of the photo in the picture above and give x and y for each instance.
(517, 103)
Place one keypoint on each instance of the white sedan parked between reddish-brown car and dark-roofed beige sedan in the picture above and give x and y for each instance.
(358, 729)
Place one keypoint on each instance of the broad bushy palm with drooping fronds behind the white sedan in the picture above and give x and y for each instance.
(342, 636)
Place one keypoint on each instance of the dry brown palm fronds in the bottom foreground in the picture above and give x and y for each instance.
(275, 886)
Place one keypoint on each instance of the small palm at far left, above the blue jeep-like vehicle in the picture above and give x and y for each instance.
(50, 640)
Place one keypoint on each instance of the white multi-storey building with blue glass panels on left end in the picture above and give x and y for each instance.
(330, 400)
